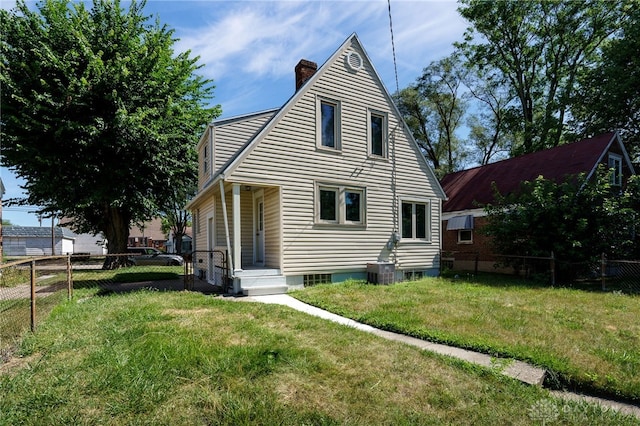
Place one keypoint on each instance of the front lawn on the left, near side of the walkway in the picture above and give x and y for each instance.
(179, 358)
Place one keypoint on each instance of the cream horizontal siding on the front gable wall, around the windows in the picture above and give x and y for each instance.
(287, 157)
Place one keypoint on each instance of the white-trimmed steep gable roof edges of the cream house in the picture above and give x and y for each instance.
(246, 149)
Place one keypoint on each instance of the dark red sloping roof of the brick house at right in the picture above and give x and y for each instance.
(467, 189)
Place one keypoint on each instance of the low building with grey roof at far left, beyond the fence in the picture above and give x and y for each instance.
(37, 241)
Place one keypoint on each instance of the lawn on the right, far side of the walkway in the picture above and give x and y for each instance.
(588, 339)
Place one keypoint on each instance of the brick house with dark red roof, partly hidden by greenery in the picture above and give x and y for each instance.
(469, 190)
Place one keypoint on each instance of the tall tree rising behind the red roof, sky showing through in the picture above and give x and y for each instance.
(540, 47)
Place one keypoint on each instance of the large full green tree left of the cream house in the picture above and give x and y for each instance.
(99, 114)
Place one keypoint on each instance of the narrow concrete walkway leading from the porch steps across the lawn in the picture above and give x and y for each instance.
(512, 368)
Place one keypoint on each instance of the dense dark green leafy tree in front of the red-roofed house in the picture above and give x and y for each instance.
(574, 219)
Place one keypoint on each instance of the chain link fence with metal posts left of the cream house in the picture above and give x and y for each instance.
(31, 288)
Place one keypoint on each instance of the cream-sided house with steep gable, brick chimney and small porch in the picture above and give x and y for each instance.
(326, 188)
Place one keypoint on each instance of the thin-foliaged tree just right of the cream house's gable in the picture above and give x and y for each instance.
(433, 109)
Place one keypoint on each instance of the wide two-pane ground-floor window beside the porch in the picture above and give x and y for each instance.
(340, 205)
